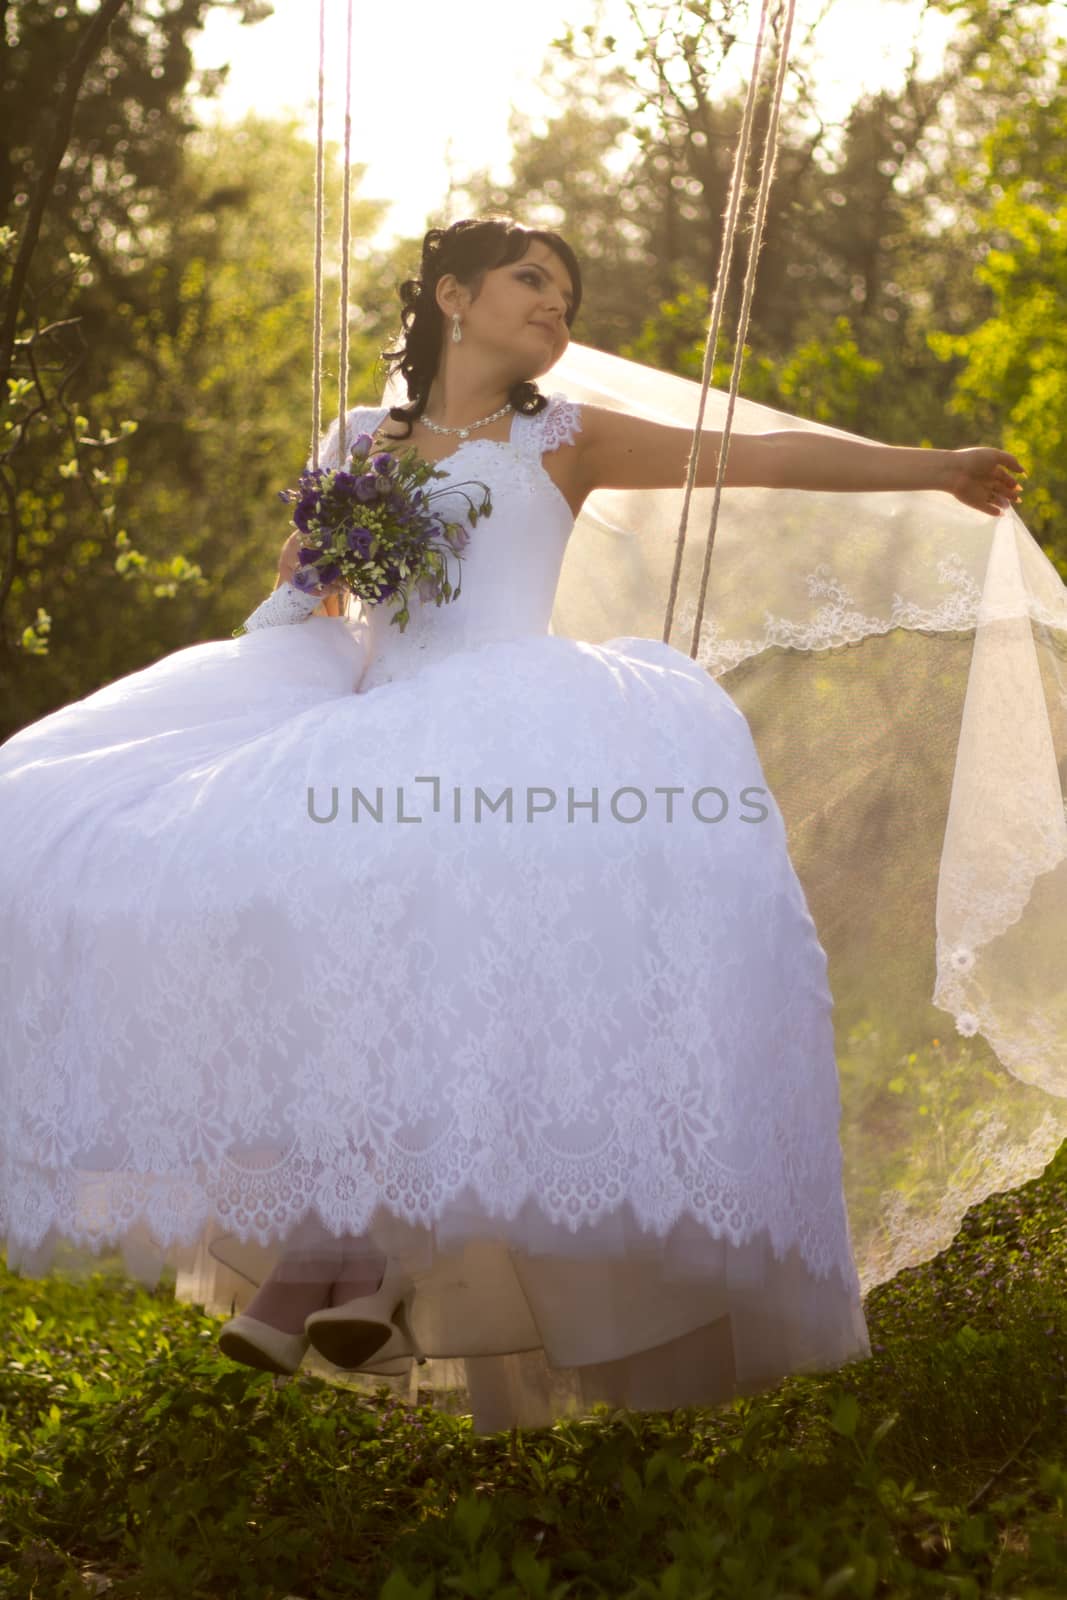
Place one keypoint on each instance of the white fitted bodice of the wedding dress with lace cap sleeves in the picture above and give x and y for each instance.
(511, 567)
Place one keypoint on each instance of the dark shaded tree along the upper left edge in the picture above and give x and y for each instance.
(71, 183)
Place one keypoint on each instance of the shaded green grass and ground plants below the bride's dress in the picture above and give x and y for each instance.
(137, 1462)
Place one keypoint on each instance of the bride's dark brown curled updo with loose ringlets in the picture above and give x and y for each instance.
(470, 249)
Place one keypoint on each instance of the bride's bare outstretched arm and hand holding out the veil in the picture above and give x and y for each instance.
(625, 452)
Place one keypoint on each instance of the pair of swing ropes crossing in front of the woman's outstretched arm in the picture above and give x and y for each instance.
(756, 244)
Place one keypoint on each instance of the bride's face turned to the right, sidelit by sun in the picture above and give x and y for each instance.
(521, 311)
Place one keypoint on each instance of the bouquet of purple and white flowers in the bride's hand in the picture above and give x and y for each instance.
(374, 527)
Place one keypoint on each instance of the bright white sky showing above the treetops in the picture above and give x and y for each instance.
(446, 79)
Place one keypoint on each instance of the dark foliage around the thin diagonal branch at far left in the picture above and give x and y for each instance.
(122, 151)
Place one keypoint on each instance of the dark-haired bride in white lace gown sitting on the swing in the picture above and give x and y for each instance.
(450, 986)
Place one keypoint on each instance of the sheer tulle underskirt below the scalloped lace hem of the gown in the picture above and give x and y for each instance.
(529, 1322)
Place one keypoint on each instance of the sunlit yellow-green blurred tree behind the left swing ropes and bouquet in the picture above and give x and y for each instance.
(222, 351)
